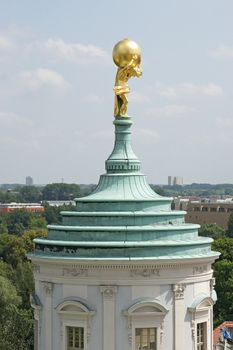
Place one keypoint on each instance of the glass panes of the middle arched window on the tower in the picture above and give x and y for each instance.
(145, 339)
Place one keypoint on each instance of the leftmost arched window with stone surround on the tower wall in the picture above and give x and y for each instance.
(75, 319)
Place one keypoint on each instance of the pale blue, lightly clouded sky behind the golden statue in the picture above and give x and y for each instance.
(57, 76)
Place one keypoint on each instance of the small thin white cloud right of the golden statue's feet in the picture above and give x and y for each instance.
(171, 111)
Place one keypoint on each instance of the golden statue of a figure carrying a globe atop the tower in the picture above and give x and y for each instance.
(127, 56)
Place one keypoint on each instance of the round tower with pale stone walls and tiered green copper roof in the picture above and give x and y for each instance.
(123, 271)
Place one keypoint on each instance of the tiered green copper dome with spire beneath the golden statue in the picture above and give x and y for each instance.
(123, 219)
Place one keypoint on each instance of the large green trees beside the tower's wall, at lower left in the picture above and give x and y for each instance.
(16, 283)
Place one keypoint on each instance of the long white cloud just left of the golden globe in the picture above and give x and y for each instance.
(74, 52)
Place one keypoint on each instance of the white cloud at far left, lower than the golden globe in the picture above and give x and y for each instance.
(40, 77)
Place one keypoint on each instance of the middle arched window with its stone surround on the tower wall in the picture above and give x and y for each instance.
(145, 324)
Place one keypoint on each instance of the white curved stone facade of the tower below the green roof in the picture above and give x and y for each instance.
(109, 300)
